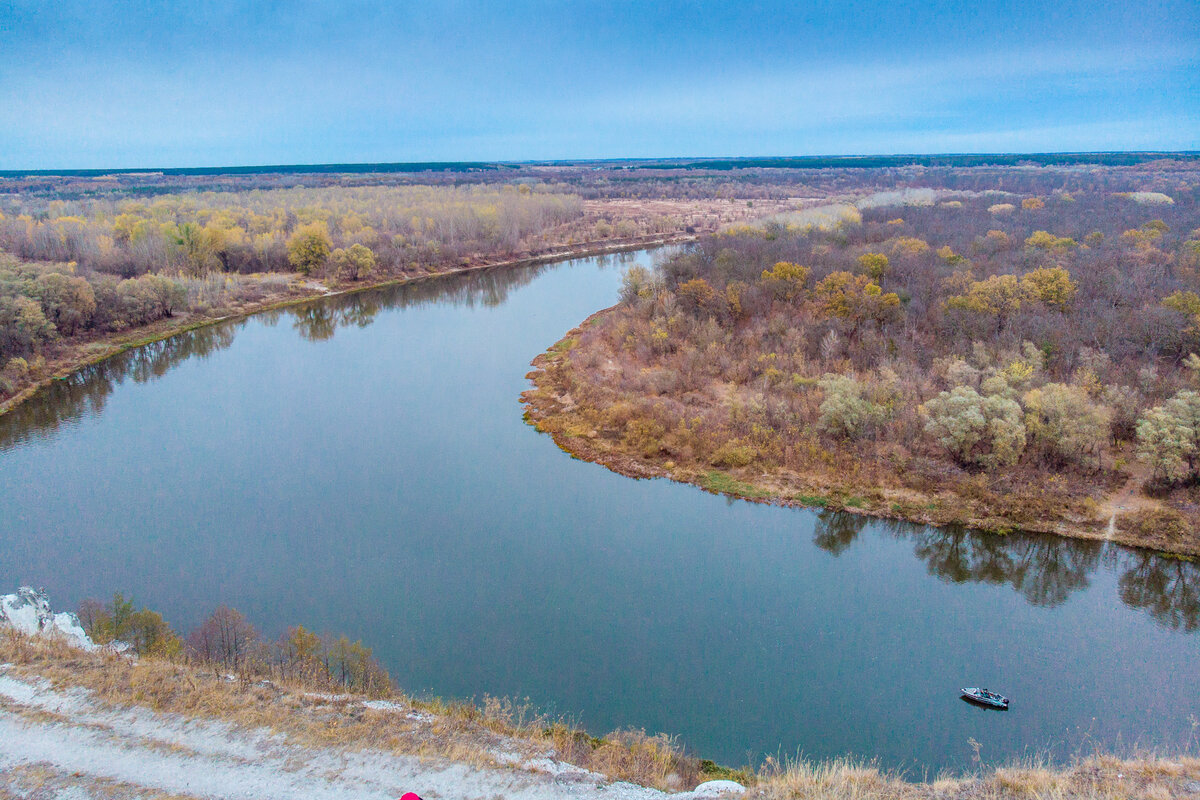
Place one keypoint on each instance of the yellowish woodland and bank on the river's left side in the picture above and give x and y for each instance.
(85, 267)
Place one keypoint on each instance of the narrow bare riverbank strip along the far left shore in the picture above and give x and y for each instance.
(85, 352)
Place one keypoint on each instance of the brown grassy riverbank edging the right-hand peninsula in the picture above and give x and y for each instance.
(1125, 516)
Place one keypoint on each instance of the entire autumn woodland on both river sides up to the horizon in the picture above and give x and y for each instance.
(1009, 345)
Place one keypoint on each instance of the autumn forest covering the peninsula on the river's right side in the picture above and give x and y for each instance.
(1009, 358)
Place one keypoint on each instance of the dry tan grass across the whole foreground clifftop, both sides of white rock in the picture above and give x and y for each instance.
(478, 736)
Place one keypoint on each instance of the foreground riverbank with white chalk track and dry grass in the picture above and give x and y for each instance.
(112, 726)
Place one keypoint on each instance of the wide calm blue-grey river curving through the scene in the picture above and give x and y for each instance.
(361, 466)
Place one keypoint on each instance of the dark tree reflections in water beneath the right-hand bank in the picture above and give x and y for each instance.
(1045, 569)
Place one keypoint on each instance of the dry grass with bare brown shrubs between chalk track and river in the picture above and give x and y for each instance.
(272, 688)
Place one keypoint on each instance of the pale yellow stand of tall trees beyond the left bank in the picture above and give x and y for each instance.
(251, 232)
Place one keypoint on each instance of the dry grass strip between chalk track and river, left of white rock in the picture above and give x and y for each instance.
(308, 715)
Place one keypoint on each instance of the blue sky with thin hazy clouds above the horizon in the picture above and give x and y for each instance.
(136, 85)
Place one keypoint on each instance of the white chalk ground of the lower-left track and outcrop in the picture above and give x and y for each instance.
(68, 744)
